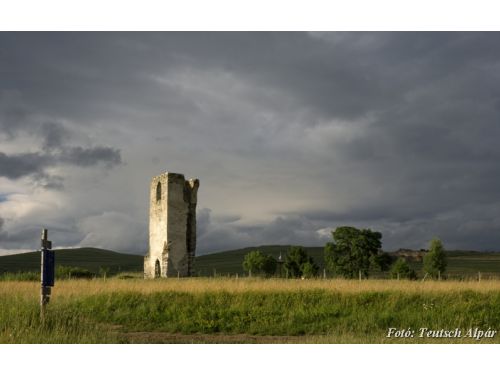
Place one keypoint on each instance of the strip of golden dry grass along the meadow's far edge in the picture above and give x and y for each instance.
(70, 288)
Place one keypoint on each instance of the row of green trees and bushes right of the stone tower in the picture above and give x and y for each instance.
(352, 253)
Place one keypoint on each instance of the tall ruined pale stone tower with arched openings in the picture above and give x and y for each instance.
(172, 226)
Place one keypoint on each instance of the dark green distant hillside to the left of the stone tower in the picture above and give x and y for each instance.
(86, 257)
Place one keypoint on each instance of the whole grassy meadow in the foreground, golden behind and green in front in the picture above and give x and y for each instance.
(246, 310)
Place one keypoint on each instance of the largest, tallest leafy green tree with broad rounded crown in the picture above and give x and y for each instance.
(352, 251)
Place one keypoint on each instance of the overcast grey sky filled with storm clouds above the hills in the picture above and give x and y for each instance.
(290, 134)
